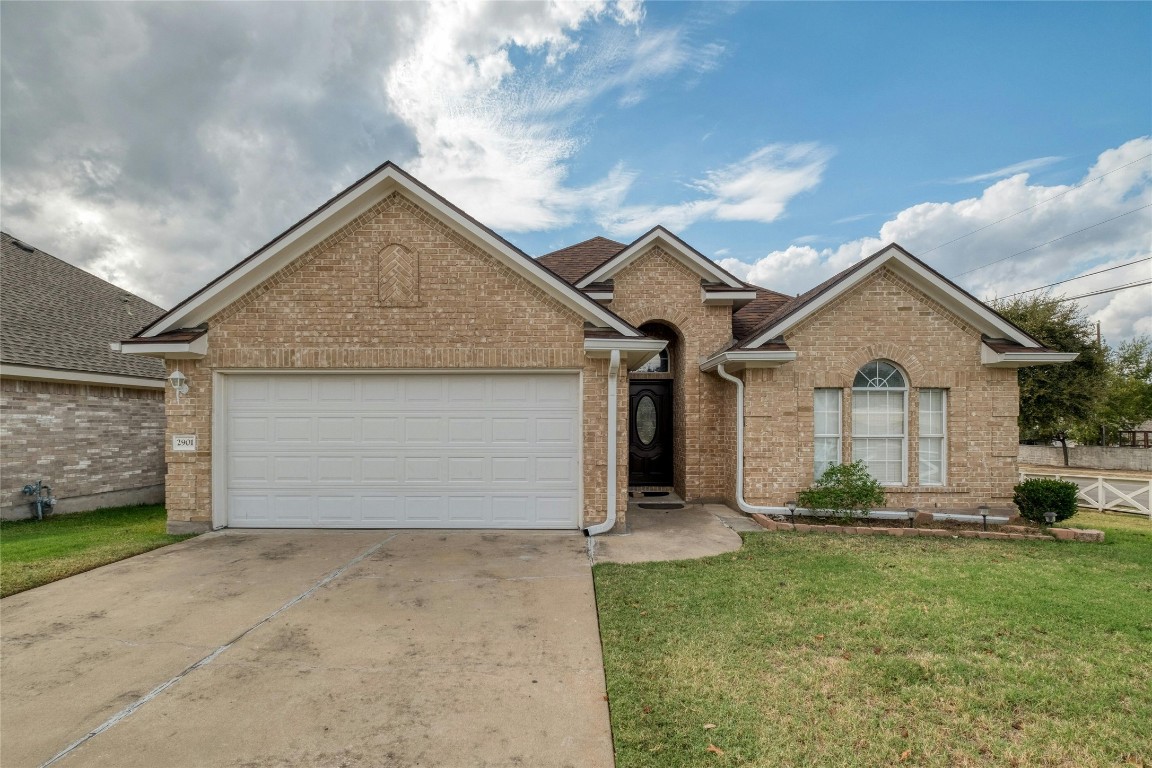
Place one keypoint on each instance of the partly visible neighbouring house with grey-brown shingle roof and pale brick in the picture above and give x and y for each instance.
(74, 414)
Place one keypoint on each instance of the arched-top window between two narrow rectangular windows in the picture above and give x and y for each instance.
(881, 422)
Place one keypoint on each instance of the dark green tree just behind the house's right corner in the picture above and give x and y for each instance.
(1058, 400)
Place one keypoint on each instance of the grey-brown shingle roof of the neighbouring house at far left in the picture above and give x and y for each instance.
(57, 316)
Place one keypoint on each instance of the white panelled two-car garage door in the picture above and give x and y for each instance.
(404, 451)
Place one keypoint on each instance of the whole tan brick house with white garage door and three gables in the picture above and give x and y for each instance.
(390, 362)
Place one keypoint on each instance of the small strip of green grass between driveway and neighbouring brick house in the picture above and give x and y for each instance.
(37, 552)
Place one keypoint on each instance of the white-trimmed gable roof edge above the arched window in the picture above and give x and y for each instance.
(931, 283)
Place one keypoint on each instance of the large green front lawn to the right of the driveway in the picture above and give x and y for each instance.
(812, 650)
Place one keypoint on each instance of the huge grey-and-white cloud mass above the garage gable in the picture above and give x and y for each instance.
(168, 141)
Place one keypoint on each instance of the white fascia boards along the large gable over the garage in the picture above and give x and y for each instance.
(345, 210)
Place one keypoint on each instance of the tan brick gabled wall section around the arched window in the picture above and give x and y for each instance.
(886, 318)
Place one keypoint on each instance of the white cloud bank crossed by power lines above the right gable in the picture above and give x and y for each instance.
(922, 229)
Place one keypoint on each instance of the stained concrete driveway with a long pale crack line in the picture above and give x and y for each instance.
(313, 649)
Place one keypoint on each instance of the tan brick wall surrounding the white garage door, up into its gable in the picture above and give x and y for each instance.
(338, 307)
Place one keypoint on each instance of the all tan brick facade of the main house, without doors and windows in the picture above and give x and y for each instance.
(399, 290)
